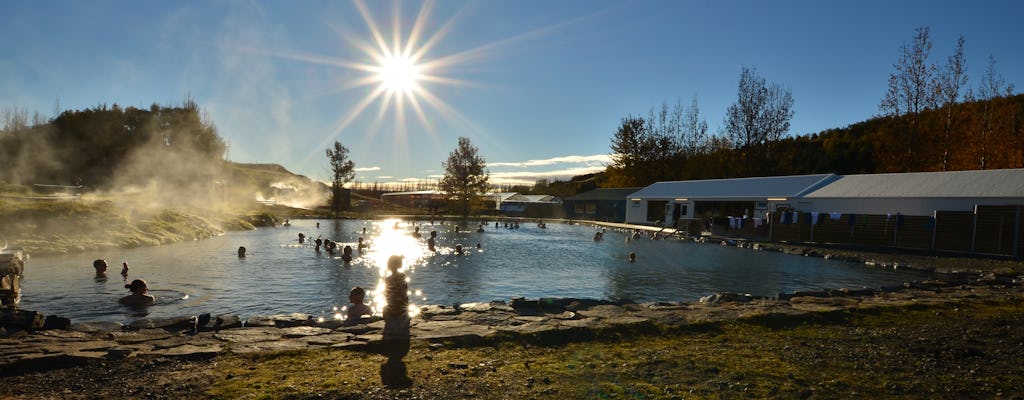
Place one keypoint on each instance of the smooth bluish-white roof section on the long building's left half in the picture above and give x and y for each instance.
(761, 188)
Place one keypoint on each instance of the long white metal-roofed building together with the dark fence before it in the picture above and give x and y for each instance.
(974, 212)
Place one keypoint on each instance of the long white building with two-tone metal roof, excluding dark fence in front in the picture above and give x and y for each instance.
(920, 194)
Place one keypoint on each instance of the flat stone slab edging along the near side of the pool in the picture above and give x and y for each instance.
(543, 321)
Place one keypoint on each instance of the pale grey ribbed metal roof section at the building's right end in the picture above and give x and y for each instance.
(990, 184)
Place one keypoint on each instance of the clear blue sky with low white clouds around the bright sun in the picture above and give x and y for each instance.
(539, 86)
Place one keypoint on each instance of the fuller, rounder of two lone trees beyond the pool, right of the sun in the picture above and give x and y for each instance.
(466, 175)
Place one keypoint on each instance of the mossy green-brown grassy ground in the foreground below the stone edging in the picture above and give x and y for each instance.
(907, 352)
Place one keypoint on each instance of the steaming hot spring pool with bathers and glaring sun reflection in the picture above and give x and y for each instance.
(281, 276)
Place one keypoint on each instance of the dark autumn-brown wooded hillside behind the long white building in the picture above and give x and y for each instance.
(974, 136)
